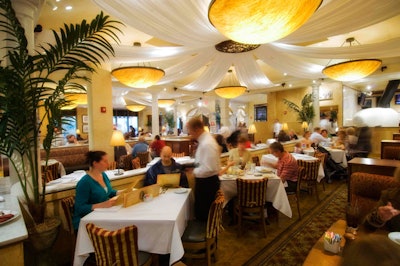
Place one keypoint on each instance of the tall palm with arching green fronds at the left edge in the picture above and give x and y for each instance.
(40, 81)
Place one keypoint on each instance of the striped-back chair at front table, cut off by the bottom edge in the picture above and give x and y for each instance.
(117, 247)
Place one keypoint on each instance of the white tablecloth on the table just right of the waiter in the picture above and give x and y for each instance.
(275, 191)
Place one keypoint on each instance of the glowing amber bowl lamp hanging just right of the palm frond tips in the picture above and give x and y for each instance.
(138, 76)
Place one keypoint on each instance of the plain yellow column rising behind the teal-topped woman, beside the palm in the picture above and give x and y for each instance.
(100, 112)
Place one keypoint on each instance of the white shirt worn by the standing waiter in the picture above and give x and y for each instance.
(207, 157)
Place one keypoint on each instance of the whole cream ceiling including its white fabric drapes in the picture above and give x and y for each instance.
(177, 37)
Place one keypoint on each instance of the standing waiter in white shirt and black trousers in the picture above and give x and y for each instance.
(207, 166)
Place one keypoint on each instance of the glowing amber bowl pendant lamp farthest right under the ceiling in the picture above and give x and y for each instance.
(352, 70)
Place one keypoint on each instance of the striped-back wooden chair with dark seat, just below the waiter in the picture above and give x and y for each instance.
(200, 238)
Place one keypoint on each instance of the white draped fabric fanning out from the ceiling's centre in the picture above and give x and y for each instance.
(186, 24)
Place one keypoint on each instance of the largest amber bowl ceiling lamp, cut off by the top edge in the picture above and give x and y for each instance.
(259, 21)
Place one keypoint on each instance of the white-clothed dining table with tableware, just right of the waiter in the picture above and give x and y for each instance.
(276, 193)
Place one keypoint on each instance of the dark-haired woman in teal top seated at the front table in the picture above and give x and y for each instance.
(94, 189)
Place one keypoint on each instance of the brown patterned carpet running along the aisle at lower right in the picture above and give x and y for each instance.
(292, 246)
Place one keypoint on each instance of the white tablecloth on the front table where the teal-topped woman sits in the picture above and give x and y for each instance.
(160, 222)
